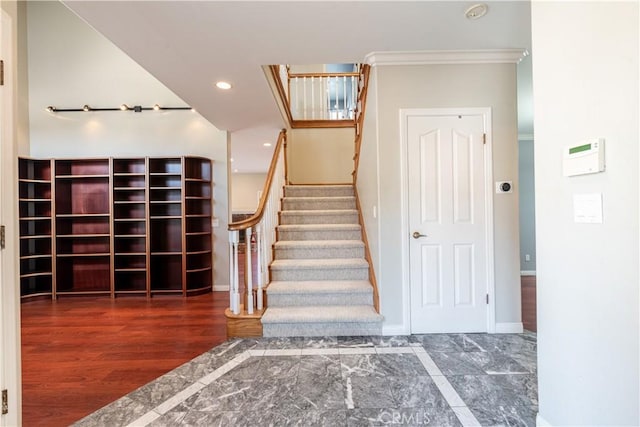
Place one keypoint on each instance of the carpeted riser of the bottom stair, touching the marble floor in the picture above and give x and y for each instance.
(320, 329)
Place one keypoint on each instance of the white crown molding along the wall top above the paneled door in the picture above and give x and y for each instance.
(429, 57)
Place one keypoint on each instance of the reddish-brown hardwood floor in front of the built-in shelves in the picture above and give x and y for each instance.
(79, 354)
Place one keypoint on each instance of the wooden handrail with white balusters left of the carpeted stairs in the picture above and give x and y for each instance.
(261, 228)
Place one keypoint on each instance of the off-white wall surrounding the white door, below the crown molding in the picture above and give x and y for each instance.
(435, 86)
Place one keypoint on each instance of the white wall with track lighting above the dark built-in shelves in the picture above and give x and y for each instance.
(71, 65)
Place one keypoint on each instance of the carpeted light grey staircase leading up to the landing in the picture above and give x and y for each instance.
(319, 277)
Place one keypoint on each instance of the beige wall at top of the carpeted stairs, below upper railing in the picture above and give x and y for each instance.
(320, 156)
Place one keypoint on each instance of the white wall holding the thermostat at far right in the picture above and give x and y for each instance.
(585, 83)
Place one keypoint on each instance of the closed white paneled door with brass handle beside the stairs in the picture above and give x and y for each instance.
(447, 223)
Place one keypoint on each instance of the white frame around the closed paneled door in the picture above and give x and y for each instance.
(485, 112)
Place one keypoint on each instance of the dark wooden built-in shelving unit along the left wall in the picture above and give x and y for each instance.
(115, 226)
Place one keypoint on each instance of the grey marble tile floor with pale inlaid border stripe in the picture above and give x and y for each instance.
(433, 380)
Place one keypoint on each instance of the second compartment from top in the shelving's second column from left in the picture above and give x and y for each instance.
(82, 196)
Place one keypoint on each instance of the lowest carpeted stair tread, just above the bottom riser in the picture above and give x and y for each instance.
(327, 314)
